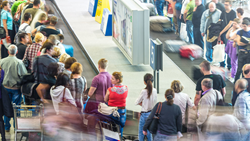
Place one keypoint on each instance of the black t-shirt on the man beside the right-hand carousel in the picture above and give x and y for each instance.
(218, 82)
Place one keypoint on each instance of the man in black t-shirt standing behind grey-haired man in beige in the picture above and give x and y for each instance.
(218, 82)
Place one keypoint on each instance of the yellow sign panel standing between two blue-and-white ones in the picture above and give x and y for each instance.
(99, 11)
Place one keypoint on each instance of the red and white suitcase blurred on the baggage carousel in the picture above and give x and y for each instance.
(191, 51)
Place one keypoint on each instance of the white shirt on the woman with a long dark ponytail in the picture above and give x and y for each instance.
(147, 103)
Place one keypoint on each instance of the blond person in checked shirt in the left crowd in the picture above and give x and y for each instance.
(32, 50)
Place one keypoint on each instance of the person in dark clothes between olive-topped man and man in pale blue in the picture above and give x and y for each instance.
(196, 20)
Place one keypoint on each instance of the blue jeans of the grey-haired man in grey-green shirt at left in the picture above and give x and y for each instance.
(15, 97)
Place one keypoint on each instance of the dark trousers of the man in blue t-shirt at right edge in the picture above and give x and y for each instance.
(243, 58)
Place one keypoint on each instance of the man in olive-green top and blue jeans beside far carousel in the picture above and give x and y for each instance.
(188, 15)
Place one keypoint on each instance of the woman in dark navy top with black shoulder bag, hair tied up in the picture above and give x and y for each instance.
(170, 119)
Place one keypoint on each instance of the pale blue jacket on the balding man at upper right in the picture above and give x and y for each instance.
(204, 19)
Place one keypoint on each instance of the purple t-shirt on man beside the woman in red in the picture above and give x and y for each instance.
(101, 82)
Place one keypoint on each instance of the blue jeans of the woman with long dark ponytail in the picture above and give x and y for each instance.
(142, 121)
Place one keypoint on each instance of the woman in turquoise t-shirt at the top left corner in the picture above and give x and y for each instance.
(7, 24)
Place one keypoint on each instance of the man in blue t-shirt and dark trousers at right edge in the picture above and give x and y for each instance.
(244, 51)
